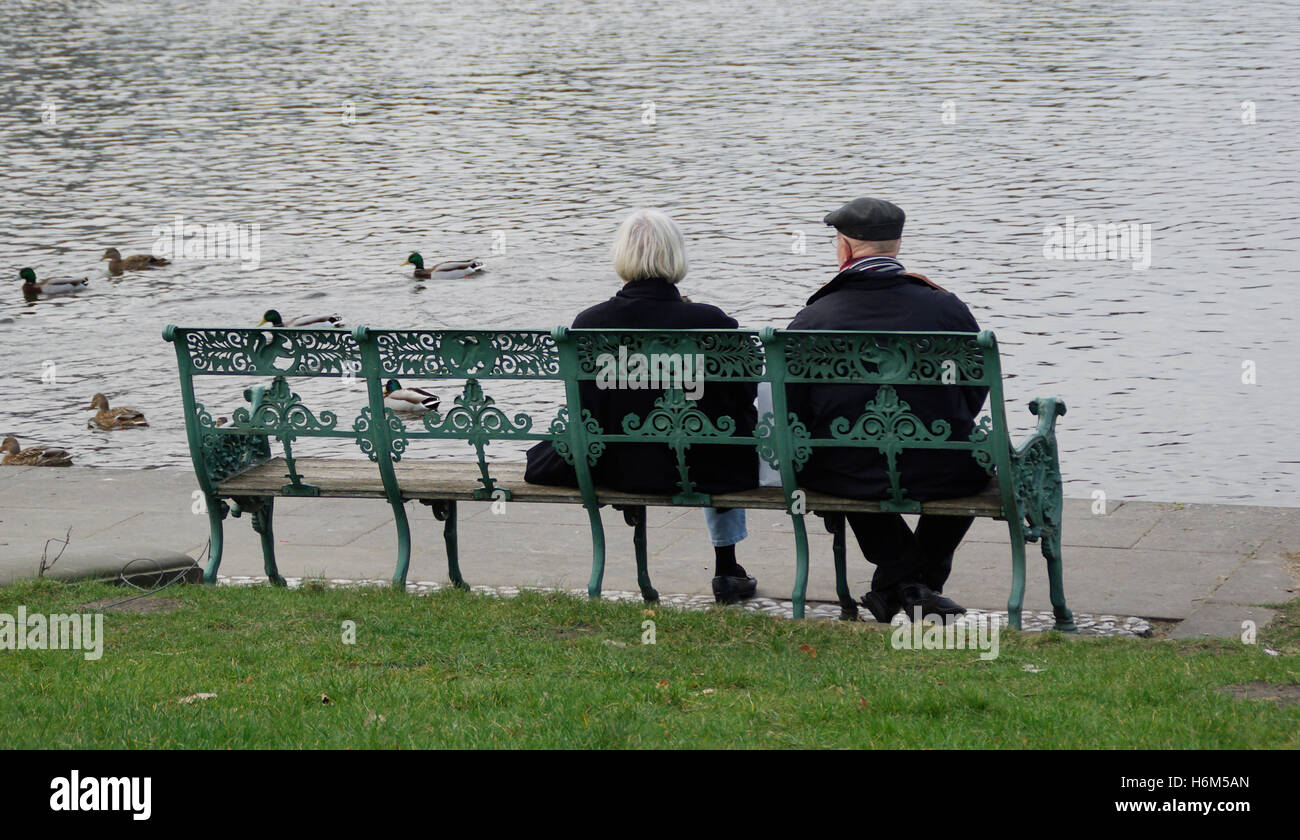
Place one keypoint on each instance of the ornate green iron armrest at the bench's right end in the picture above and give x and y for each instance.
(1037, 474)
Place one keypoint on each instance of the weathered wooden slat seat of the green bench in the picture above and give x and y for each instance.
(458, 480)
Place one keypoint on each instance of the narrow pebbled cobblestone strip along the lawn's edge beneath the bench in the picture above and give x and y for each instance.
(1032, 622)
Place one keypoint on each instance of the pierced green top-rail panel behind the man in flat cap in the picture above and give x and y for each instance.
(942, 360)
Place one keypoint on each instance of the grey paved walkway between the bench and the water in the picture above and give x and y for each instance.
(1207, 566)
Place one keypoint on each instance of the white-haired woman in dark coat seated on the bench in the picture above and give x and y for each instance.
(651, 258)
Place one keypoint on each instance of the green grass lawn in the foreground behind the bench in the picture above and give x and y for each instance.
(456, 670)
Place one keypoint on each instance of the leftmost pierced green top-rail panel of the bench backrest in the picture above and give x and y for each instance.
(274, 352)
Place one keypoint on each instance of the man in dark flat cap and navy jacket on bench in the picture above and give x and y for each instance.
(874, 292)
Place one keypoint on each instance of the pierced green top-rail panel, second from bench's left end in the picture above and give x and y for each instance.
(522, 354)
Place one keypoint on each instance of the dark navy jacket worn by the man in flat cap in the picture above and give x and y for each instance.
(887, 302)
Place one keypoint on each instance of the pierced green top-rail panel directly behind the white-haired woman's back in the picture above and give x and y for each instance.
(727, 356)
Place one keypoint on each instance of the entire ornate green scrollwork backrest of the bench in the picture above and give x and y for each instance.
(883, 360)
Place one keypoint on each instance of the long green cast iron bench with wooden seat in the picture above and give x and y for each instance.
(239, 473)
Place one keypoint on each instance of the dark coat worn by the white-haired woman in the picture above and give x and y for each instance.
(653, 467)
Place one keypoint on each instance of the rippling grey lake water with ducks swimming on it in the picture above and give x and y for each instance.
(357, 133)
